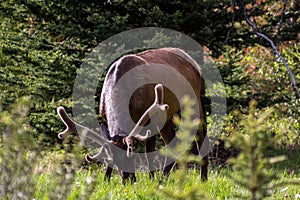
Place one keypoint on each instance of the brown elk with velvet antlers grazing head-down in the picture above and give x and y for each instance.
(148, 100)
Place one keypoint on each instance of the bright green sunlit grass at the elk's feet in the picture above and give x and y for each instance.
(88, 183)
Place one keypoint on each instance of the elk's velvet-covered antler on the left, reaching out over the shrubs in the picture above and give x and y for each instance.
(73, 127)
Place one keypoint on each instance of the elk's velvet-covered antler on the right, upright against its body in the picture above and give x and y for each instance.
(154, 108)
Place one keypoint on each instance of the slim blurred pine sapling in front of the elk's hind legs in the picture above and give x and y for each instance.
(185, 137)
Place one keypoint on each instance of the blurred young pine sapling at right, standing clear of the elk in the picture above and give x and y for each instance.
(253, 137)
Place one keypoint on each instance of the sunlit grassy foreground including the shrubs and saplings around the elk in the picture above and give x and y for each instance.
(31, 171)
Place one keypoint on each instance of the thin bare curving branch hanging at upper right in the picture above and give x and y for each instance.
(253, 26)
